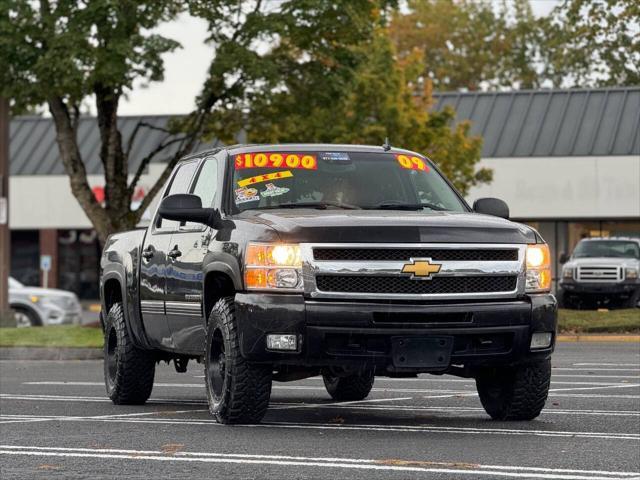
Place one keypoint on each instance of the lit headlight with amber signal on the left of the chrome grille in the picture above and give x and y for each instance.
(273, 267)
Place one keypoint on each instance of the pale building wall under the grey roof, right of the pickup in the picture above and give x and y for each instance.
(565, 187)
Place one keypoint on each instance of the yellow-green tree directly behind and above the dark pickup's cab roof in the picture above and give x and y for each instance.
(375, 103)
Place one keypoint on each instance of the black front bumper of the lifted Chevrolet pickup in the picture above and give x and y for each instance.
(334, 333)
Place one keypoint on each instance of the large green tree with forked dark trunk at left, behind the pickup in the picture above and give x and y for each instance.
(61, 53)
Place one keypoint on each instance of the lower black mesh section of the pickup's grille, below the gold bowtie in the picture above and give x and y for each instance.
(405, 285)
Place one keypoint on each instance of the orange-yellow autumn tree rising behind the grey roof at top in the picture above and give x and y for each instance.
(466, 44)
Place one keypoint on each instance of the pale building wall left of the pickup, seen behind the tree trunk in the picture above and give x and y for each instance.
(45, 201)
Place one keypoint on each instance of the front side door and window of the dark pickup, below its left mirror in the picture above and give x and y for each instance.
(188, 247)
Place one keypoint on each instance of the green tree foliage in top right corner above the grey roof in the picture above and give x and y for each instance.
(593, 43)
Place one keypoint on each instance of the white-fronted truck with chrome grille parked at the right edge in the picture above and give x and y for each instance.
(601, 271)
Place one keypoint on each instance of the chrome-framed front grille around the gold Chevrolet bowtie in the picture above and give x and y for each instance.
(374, 271)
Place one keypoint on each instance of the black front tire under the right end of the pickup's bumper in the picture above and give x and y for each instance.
(515, 393)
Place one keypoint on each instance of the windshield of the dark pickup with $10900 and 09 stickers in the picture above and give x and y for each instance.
(349, 180)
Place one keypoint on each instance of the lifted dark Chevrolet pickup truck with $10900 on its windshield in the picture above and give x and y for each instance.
(280, 262)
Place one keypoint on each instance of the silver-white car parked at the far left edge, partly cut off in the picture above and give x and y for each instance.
(35, 306)
